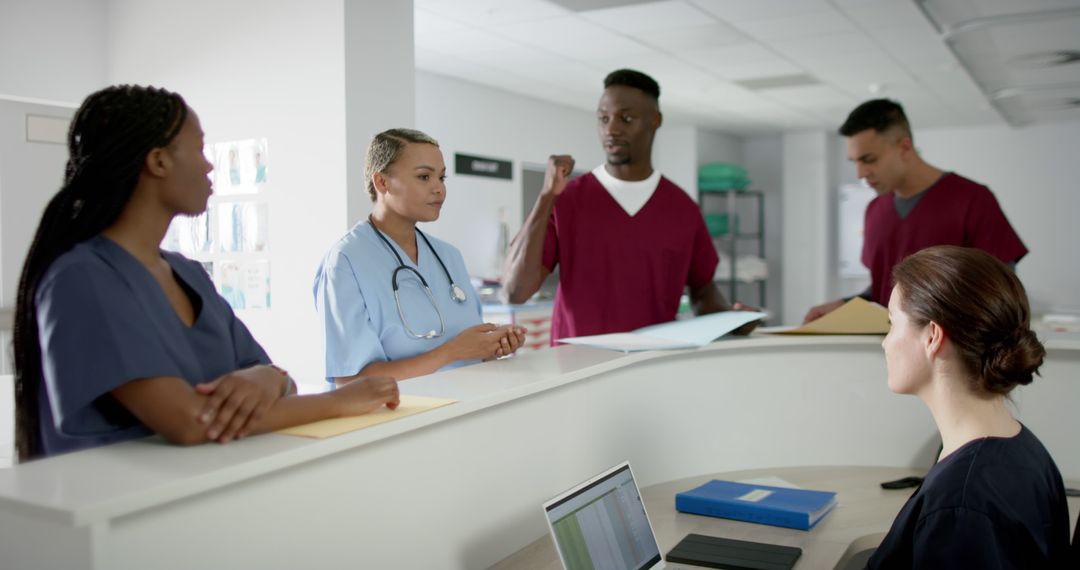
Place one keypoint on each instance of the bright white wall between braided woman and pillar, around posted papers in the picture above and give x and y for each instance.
(255, 70)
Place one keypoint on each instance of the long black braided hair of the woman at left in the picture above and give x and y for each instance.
(111, 137)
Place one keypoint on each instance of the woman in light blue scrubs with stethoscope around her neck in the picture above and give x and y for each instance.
(396, 302)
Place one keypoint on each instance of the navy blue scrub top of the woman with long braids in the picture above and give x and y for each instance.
(104, 321)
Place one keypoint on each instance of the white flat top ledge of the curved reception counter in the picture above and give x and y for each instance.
(92, 486)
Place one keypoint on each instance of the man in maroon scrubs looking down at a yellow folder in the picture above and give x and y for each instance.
(919, 206)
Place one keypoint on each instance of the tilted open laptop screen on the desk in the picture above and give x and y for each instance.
(602, 524)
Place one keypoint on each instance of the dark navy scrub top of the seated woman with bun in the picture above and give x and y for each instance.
(996, 503)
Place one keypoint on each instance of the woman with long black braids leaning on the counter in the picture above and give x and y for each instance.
(116, 340)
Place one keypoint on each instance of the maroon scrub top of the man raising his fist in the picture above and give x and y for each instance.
(620, 273)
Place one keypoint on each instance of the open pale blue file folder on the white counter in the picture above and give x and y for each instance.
(688, 334)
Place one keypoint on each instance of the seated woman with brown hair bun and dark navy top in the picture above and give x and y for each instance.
(961, 342)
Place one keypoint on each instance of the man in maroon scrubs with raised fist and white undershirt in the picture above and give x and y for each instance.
(629, 240)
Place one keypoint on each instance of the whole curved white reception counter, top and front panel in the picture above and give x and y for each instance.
(462, 486)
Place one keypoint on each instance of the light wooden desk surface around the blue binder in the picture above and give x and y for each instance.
(863, 515)
